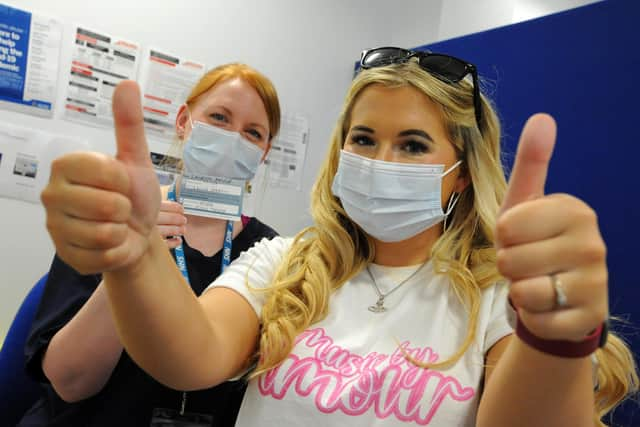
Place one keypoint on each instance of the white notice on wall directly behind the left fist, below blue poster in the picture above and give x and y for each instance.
(25, 160)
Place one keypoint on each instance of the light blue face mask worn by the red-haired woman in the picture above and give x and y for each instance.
(213, 151)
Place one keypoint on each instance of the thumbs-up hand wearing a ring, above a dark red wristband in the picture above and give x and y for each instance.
(545, 239)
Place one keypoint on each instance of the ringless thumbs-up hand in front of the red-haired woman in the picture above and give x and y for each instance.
(101, 210)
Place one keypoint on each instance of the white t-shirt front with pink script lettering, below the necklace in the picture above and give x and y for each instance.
(356, 363)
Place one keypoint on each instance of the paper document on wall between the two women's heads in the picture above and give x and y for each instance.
(288, 154)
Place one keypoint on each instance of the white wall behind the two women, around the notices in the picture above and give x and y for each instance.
(306, 48)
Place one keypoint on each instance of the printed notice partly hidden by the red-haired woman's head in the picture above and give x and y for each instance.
(166, 81)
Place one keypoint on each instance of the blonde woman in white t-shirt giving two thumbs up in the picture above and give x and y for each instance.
(393, 308)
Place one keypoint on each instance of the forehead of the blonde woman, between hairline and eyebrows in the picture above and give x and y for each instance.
(402, 107)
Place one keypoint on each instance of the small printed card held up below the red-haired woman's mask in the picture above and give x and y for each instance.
(213, 197)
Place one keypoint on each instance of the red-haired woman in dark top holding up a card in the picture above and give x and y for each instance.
(74, 348)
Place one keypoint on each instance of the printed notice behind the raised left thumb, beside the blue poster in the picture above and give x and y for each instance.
(99, 62)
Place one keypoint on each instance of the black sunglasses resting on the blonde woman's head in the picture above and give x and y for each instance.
(444, 67)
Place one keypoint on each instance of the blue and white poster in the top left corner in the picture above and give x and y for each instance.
(29, 61)
